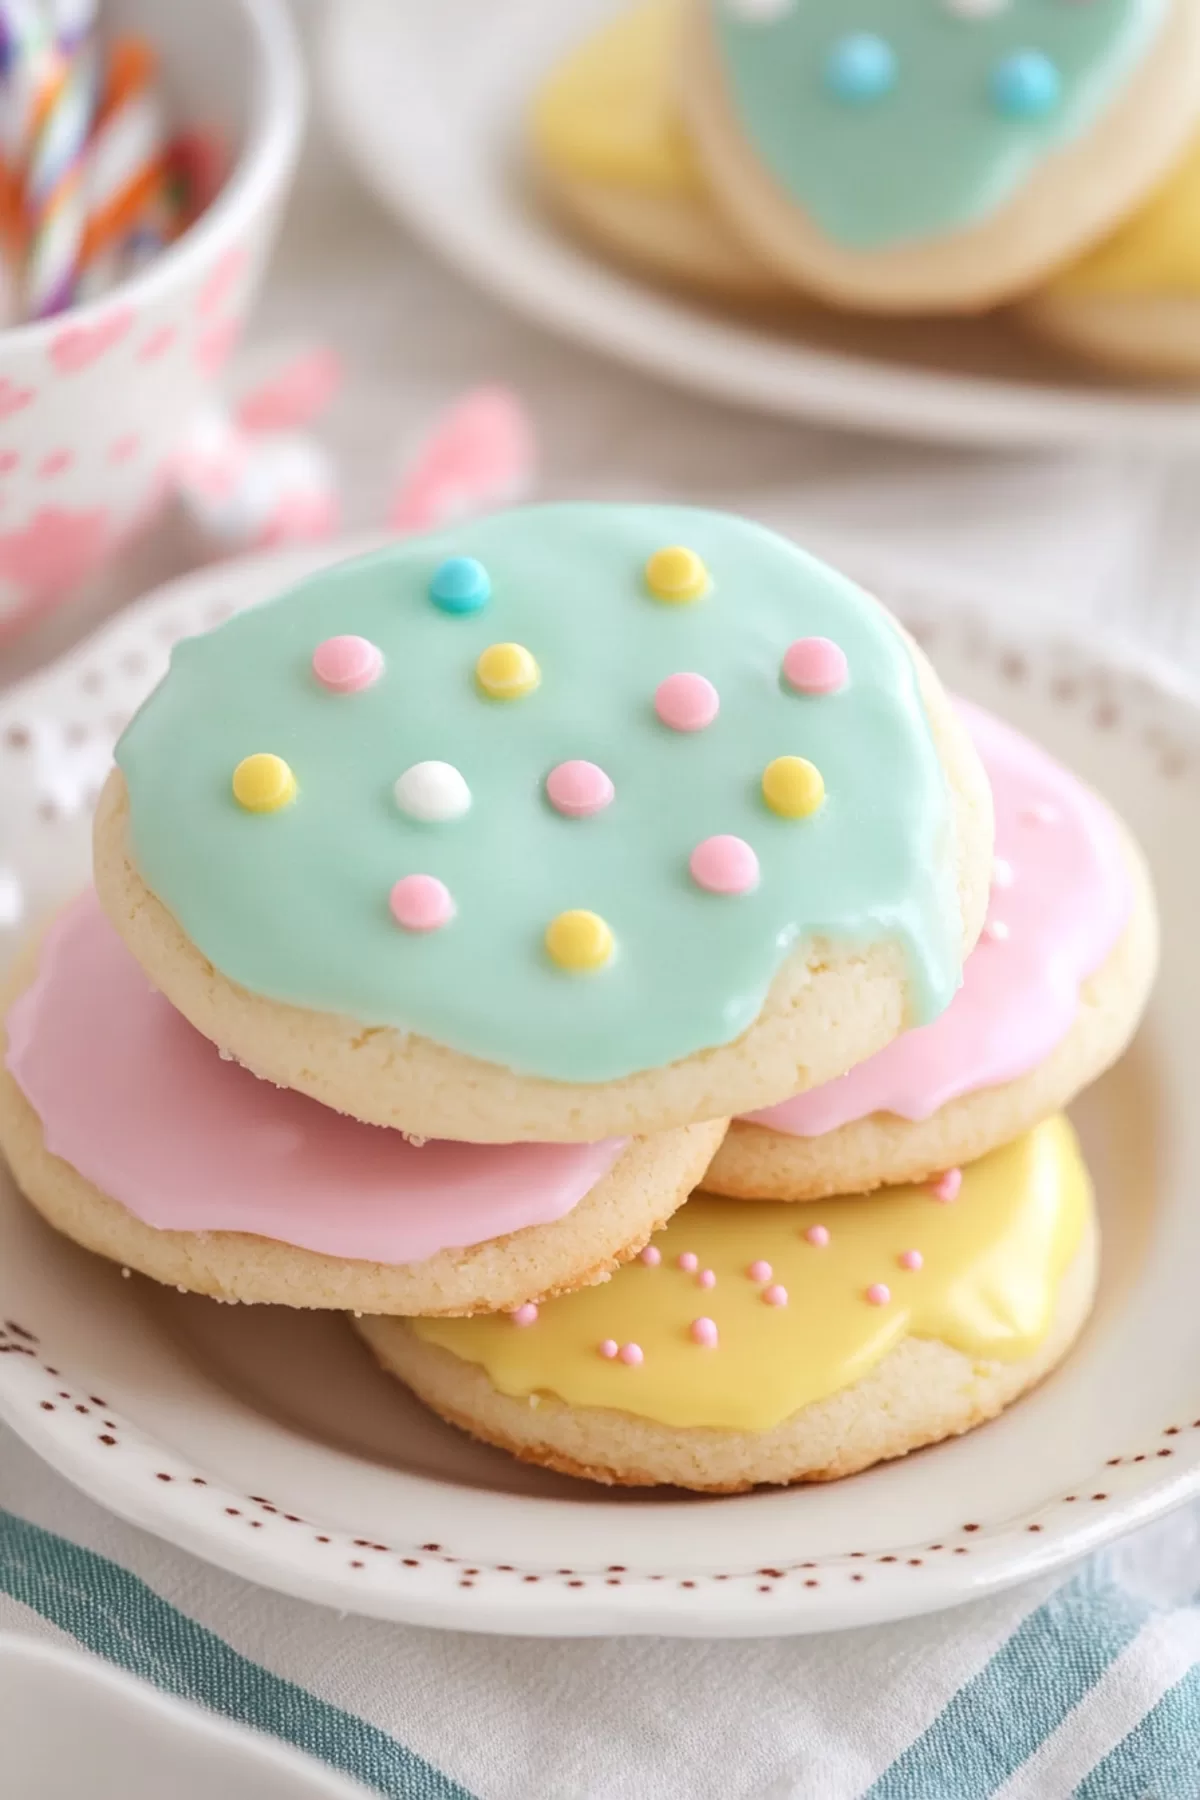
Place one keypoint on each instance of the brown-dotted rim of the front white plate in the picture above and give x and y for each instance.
(57, 737)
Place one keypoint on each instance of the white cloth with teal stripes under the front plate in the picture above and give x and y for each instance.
(1086, 1687)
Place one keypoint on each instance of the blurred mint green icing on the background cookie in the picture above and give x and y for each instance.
(935, 156)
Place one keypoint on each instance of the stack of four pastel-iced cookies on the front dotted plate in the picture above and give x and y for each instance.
(451, 906)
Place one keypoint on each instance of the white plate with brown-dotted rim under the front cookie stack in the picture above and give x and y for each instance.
(267, 1441)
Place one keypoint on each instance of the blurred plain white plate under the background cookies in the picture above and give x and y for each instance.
(429, 103)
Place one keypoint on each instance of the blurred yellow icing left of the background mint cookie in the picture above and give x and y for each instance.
(607, 112)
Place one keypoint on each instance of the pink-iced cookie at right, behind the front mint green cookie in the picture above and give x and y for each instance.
(1050, 998)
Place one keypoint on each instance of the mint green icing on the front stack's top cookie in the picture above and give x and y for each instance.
(296, 904)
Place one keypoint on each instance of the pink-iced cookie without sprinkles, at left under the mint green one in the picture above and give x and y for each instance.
(132, 1137)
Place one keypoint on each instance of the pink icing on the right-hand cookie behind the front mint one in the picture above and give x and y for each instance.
(1062, 906)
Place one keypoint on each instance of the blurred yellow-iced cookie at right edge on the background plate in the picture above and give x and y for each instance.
(1134, 303)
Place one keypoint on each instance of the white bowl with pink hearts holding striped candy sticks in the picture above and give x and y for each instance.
(93, 402)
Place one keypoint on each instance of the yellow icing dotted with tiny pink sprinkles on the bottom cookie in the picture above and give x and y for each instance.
(992, 1264)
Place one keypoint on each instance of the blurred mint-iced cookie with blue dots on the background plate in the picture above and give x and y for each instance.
(913, 156)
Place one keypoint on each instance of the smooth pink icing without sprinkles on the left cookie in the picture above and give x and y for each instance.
(147, 1110)
